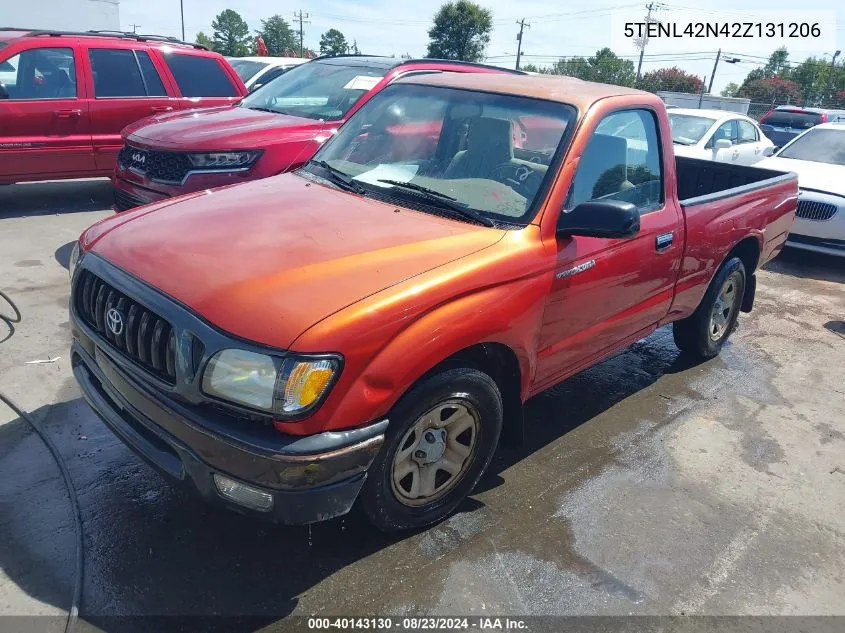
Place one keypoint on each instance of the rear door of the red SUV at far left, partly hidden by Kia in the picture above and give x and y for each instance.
(126, 86)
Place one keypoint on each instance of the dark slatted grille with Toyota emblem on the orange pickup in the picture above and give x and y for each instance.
(141, 335)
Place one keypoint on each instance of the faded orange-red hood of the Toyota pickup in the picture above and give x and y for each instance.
(268, 259)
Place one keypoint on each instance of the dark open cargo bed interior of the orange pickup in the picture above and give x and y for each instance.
(701, 181)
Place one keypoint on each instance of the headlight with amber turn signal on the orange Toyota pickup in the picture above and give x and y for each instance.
(286, 387)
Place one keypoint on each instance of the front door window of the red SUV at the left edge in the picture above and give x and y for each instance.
(40, 73)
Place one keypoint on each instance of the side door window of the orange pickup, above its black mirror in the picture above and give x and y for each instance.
(621, 162)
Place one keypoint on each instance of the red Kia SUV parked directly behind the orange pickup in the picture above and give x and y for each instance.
(275, 129)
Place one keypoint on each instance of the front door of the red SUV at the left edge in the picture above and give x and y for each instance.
(44, 124)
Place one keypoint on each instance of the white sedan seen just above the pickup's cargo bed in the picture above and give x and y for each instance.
(718, 135)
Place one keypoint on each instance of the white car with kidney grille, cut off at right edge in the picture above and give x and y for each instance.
(818, 157)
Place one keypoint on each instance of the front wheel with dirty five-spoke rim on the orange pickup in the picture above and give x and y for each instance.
(458, 394)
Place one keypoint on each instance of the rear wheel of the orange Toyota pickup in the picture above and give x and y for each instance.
(703, 333)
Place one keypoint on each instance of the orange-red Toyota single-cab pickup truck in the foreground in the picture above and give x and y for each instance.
(368, 327)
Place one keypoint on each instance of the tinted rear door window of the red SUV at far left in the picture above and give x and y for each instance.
(124, 73)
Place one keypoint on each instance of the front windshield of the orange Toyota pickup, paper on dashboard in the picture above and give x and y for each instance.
(489, 153)
